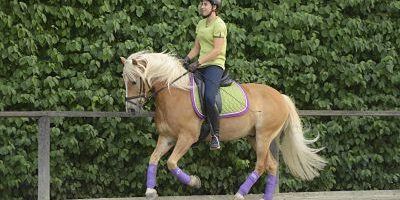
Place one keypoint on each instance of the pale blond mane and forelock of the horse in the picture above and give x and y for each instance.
(157, 67)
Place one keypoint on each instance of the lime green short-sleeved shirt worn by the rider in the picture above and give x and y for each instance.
(206, 34)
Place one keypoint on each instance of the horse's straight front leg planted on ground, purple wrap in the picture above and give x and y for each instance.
(164, 144)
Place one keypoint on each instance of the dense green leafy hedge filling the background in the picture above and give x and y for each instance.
(64, 55)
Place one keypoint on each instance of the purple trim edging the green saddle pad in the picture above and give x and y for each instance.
(227, 115)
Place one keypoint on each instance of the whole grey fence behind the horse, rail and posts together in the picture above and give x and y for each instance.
(44, 133)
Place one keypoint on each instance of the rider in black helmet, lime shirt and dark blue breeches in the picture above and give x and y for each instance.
(210, 43)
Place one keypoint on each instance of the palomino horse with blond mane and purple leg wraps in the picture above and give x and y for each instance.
(178, 126)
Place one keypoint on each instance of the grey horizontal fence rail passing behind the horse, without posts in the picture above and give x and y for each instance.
(151, 114)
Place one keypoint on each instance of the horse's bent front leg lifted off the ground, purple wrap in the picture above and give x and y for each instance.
(183, 144)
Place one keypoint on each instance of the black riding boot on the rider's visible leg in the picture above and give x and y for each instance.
(213, 120)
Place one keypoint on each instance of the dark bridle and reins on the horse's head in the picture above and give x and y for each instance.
(143, 93)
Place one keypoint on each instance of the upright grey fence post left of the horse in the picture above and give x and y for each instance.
(44, 159)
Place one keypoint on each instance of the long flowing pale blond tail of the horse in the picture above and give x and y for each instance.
(302, 161)
